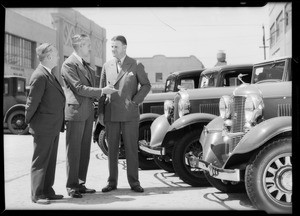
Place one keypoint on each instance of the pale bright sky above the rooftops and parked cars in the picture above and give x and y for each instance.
(186, 31)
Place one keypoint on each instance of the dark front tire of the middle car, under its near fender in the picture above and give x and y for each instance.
(189, 143)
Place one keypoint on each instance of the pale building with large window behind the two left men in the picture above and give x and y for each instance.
(27, 28)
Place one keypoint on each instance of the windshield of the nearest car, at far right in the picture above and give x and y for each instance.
(272, 71)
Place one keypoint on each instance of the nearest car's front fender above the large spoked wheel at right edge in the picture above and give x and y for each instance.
(262, 133)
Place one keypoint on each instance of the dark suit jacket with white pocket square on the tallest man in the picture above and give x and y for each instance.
(120, 107)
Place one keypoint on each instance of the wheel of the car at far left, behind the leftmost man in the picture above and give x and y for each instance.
(16, 123)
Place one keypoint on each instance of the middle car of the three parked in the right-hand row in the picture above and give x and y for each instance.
(185, 117)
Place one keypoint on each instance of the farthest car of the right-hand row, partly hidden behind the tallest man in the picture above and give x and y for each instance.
(151, 108)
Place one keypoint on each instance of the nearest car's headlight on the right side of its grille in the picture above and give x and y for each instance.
(253, 108)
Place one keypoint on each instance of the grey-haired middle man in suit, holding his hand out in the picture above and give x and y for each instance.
(80, 91)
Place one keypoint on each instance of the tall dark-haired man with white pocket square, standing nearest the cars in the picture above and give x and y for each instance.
(121, 112)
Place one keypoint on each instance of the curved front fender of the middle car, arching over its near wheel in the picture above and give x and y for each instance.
(190, 119)
